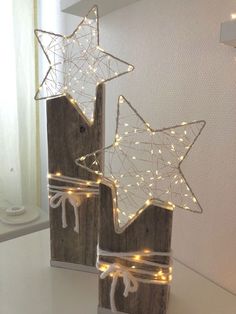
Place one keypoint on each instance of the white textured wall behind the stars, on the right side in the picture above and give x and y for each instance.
(184, 74)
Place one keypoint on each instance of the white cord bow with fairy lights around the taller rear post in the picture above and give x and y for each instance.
(73, 191)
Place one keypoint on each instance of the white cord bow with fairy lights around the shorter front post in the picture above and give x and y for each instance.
(157, 273)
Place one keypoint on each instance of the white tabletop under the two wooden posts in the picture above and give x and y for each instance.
(28, 285)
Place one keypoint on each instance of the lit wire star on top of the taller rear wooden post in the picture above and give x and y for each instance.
(78, 65)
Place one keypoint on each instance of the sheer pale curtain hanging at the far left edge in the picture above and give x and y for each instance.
(18, 112)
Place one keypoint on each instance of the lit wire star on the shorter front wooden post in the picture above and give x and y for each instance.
(143, 165)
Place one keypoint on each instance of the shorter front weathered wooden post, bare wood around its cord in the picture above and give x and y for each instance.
(151, 230)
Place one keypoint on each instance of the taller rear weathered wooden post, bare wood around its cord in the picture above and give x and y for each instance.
(68, 138)
